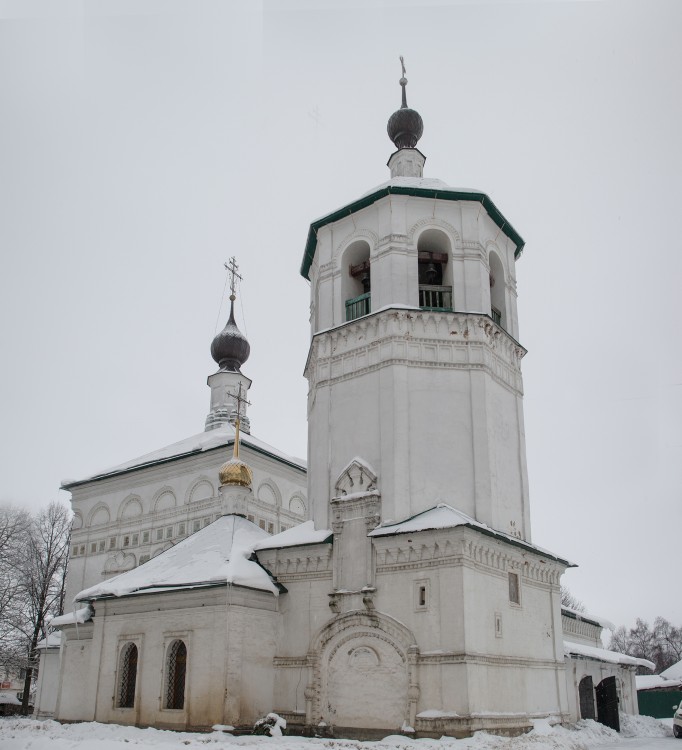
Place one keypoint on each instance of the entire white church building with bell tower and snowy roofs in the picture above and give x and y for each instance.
(412, 598)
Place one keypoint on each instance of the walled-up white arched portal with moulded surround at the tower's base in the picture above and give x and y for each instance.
(363, 673)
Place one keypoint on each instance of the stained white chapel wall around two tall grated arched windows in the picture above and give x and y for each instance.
(230, 648)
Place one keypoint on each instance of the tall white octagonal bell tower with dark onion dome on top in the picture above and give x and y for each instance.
(414, 363)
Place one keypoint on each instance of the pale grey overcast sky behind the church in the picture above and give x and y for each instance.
(143, 143)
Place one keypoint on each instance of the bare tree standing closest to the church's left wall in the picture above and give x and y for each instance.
(42, 581)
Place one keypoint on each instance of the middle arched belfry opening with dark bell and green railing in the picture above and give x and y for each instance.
(435, 275)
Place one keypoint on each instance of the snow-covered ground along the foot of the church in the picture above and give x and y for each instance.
(637, 733)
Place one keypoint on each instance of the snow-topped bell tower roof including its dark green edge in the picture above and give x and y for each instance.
(422, 187)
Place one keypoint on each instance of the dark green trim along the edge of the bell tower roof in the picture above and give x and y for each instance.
(440, 194)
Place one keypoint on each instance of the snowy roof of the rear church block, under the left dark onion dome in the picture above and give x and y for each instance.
(220, 437)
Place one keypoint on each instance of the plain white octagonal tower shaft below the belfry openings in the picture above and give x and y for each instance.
(433, 402)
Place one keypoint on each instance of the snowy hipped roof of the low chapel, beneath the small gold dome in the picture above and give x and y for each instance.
(218, 553)
